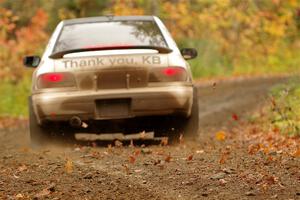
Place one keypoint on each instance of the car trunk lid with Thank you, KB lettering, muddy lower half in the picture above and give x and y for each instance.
(113, 69)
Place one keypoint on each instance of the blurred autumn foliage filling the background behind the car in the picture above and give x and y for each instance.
(232, 37)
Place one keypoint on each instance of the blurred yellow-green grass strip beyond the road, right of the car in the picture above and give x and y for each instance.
(211, 62)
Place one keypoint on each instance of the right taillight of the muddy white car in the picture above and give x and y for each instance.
(168, 74)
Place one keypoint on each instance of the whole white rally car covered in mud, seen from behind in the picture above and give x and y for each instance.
(112, 74)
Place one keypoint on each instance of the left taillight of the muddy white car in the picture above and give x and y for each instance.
(56, 80)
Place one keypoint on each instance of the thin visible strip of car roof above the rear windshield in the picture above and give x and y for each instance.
(107, 19)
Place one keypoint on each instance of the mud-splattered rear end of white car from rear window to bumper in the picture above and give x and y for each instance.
(112, 80)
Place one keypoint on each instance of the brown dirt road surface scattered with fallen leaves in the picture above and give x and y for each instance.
(202, 168)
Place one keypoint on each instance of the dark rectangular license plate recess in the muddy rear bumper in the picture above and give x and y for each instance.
(113, 108)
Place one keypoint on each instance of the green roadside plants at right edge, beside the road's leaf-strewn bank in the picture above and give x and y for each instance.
(285, 110)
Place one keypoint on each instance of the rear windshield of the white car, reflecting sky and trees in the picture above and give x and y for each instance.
(109, 34)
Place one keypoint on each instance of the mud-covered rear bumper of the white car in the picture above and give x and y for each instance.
(113, 104)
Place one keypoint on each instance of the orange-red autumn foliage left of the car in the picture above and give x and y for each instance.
(15, 42)
